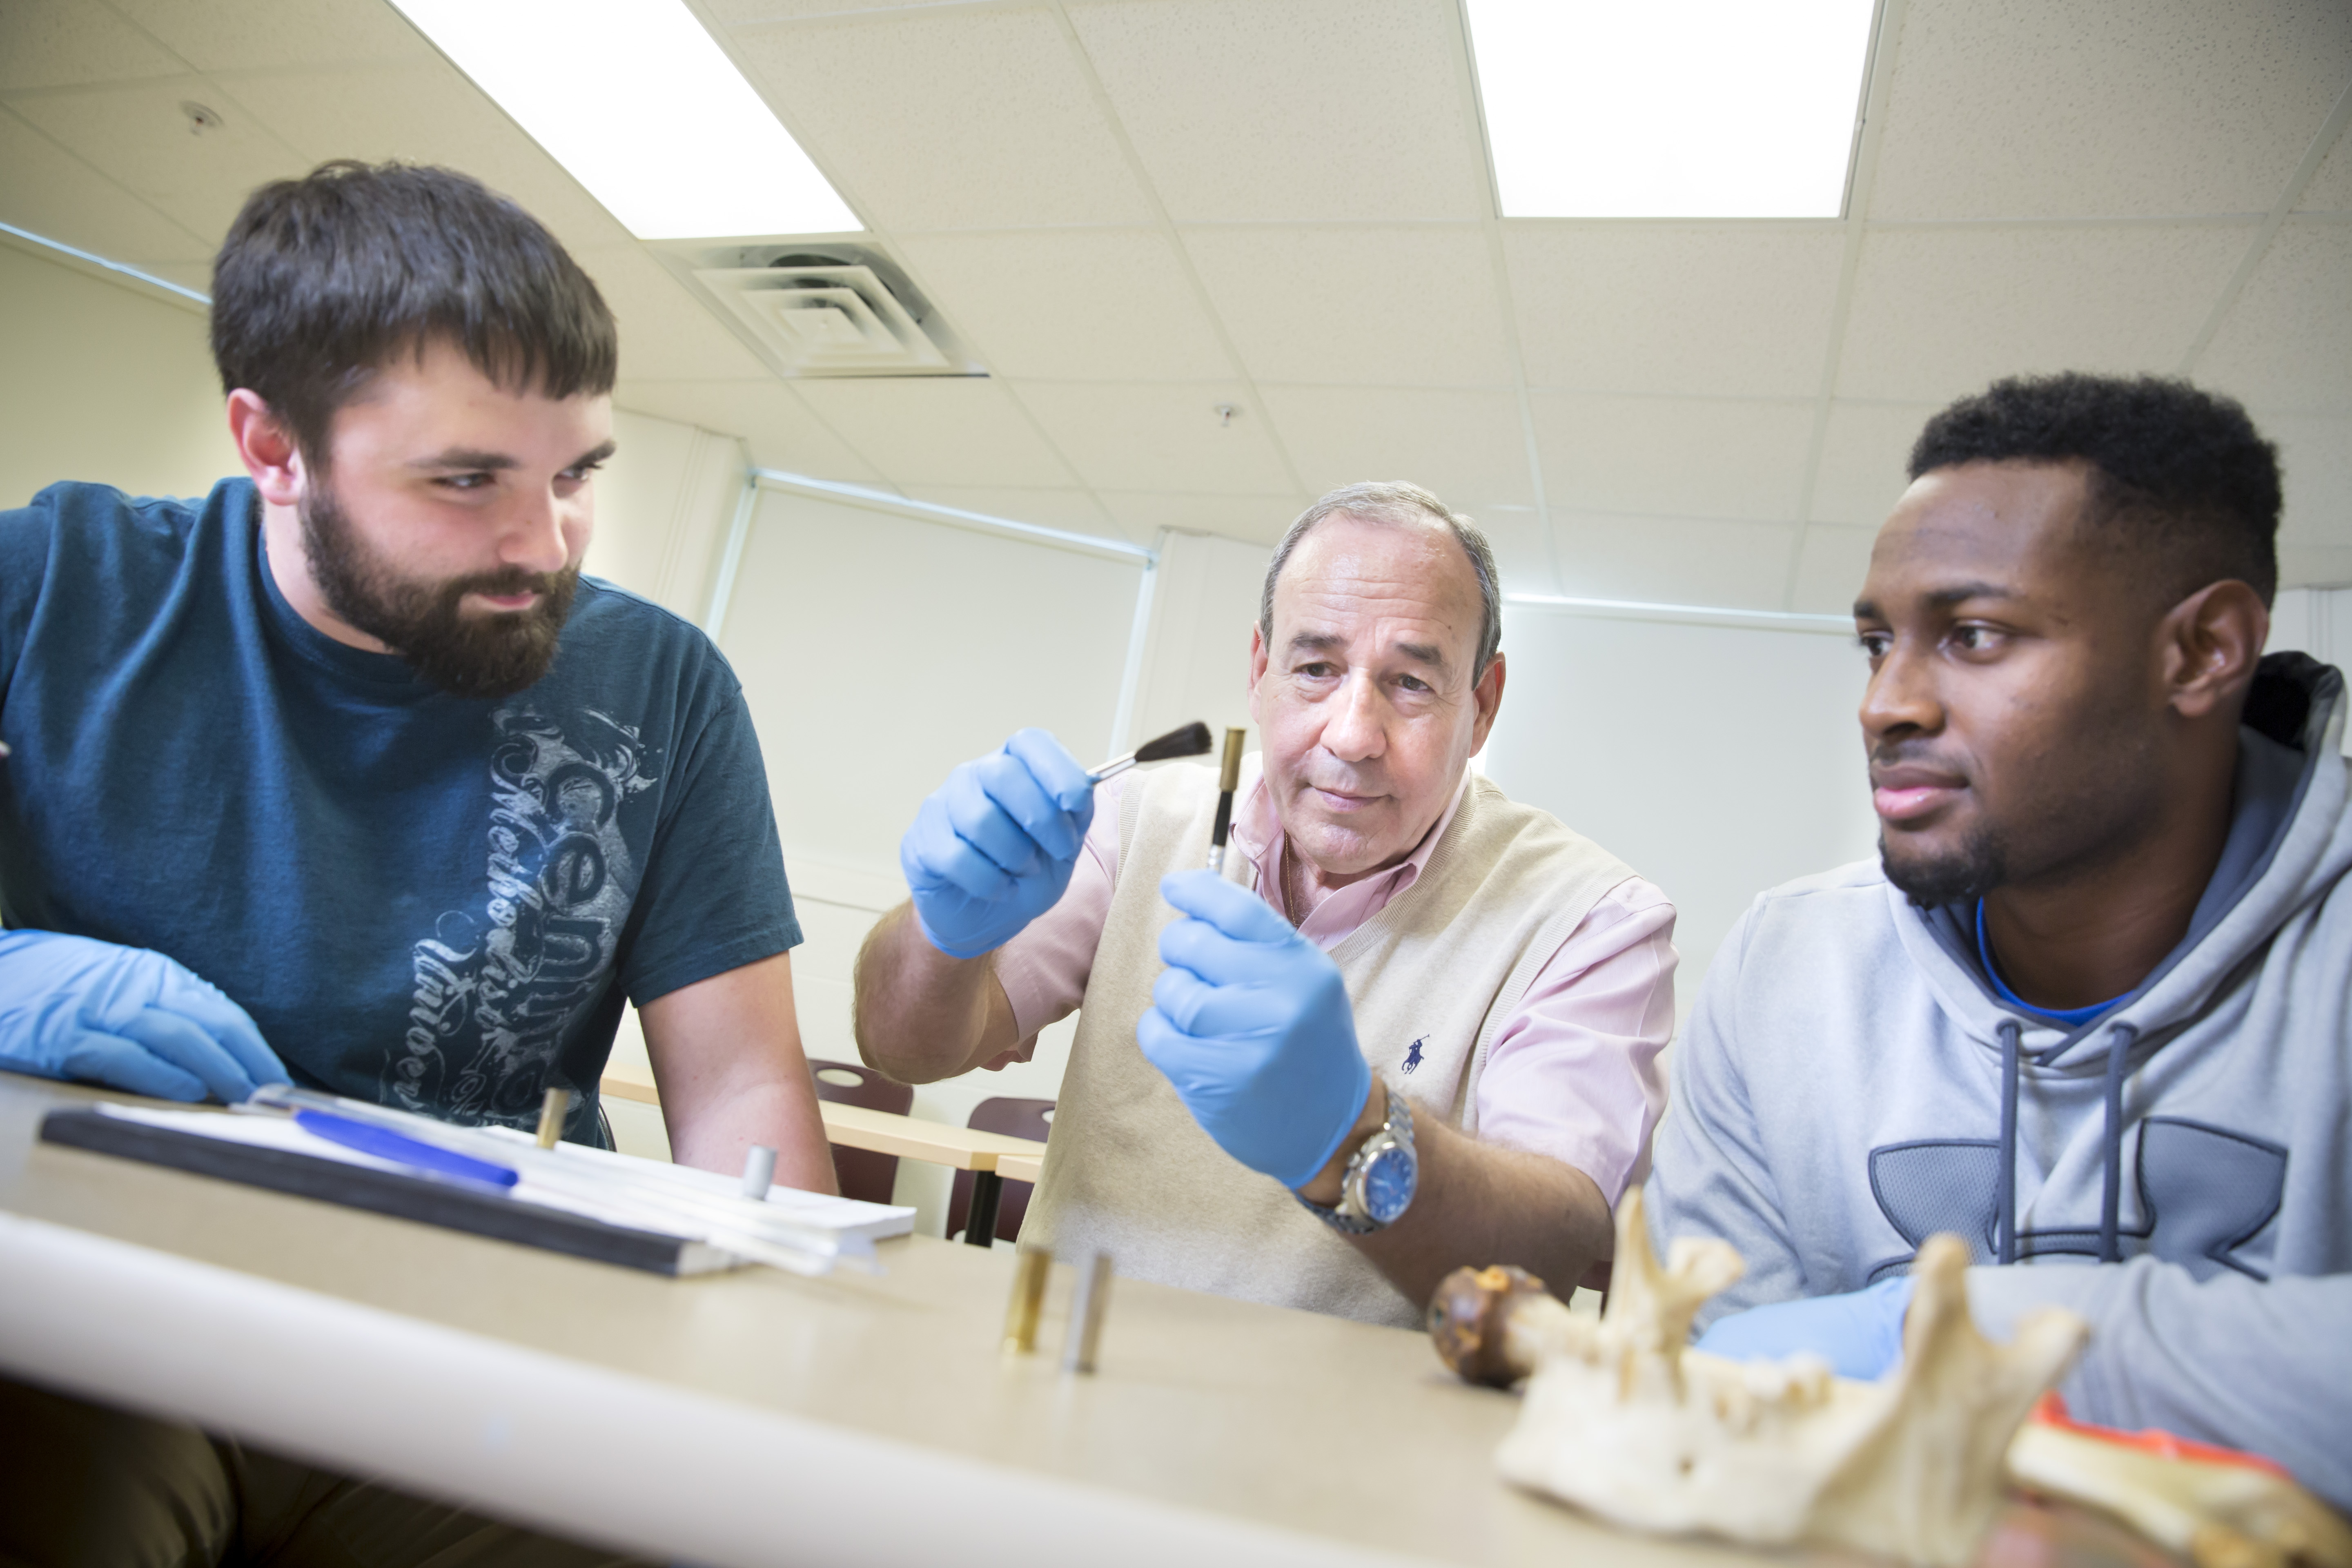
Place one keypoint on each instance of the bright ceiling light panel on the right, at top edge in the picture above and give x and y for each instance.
(1690, 109)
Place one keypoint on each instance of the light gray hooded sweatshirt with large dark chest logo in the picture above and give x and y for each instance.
(2177, 1170)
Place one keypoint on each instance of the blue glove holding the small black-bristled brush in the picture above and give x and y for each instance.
(994, 847)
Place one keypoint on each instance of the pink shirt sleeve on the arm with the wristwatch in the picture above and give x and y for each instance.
(1575, 1071)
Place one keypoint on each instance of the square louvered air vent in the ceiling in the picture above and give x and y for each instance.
(824, 309)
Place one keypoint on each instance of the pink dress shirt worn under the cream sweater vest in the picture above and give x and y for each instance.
(1575, 1071)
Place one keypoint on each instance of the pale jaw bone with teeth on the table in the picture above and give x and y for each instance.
(1629, 1423)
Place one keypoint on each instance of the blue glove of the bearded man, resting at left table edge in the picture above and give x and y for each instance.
(128, 1019)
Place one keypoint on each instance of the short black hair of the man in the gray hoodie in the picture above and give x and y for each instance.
(2179, 474)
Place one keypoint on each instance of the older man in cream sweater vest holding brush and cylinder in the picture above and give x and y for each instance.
(1424, 1036)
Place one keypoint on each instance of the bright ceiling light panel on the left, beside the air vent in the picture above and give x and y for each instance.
(643, 107)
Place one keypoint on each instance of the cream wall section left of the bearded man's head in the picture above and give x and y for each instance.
(105, 382)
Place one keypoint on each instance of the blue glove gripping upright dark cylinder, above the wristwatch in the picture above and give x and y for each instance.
(1255, 1031)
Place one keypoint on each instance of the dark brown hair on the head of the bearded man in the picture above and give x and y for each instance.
(326, 279)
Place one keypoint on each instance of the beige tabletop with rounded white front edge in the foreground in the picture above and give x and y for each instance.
(766, 1419)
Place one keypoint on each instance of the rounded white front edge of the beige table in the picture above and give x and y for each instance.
(552, 1442)
